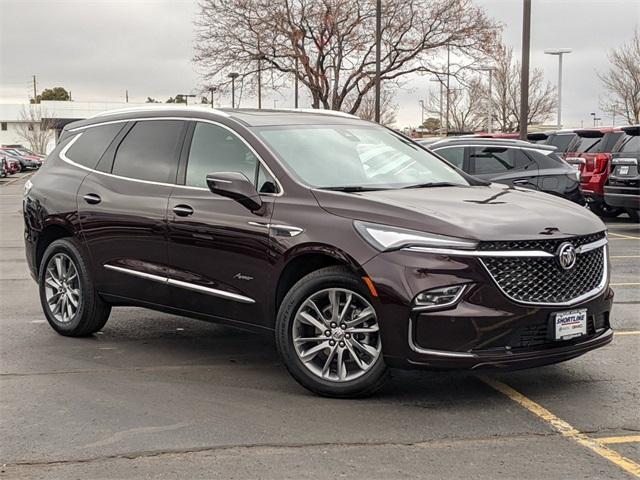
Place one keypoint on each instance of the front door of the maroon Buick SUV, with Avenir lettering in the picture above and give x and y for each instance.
(218, 249)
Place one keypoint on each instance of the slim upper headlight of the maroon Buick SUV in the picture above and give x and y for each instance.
(384, 237)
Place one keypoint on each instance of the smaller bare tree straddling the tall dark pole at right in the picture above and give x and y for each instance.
(506, 93)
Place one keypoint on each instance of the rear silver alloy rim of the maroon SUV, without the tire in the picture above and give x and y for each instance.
(62, 287)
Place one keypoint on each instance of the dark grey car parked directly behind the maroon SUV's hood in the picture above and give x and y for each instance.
(515, 163)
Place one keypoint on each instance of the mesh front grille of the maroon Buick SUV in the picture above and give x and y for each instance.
(541, 280)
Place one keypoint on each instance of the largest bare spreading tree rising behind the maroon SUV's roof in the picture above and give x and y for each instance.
(329, 44)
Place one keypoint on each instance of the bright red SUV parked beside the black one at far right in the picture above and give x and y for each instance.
(591, 153)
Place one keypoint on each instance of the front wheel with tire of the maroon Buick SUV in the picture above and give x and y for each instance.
(345, 377)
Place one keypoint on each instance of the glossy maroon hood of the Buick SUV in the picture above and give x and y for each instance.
(493, 212)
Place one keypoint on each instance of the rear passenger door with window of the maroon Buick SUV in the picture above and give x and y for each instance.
(122, 207)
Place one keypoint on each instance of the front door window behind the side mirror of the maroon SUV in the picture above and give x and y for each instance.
(216, 149)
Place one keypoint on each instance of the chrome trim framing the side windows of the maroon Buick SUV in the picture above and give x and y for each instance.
(63, 153)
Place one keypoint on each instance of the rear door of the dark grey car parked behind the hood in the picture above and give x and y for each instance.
(507, 165)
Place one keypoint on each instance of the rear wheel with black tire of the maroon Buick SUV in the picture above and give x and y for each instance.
(59, 288)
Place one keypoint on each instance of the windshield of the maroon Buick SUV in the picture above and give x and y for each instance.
(366, 157)
